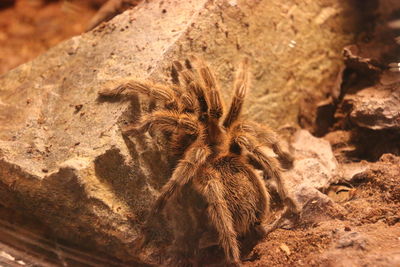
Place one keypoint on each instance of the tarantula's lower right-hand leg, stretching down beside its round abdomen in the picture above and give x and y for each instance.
(270, 166)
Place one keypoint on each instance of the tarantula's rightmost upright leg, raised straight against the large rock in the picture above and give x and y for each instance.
(241, 85)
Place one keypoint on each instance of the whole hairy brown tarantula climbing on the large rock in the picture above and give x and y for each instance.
(214, 187)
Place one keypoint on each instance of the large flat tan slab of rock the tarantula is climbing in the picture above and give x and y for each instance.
(62, 156)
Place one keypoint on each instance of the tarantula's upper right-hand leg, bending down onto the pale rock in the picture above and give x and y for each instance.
(268, 138)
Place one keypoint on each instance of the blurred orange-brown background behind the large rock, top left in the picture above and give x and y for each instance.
(30, 27)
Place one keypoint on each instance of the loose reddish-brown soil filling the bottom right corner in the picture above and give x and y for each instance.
(368, 234)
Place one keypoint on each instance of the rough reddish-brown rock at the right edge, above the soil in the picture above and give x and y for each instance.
(376, 108)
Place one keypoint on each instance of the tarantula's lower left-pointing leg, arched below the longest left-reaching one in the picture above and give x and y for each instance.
(167, 121)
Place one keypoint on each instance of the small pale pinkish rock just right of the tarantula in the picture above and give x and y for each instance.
(315, 169)
